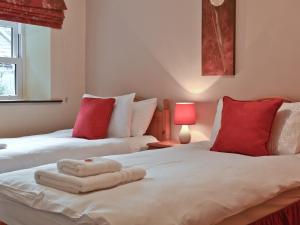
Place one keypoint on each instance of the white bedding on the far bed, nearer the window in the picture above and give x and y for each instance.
(32, 151)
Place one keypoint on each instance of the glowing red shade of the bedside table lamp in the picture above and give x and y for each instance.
(185, 114)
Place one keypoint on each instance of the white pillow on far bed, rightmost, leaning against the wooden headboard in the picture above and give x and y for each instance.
(142, 115)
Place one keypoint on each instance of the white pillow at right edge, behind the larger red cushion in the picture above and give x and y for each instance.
(285, 135)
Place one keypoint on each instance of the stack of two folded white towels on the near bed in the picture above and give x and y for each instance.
(82, 176)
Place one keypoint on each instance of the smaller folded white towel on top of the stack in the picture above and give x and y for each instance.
(88, 167)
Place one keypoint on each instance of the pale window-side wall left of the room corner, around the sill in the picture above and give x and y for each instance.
(67, 81)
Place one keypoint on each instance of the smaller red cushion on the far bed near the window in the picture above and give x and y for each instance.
(93, 118)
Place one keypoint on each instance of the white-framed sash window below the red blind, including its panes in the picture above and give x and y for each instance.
(11, 65)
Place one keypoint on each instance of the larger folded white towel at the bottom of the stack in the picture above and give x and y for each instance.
(77, 185)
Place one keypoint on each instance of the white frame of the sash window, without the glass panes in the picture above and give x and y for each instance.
(17, 59)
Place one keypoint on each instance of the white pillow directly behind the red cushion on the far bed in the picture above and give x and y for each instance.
(120, 123)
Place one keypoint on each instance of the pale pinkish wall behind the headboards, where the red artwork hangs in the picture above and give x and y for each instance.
(154, 48)
